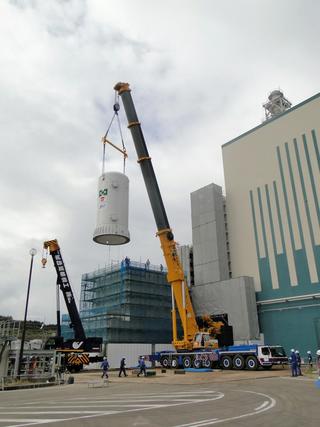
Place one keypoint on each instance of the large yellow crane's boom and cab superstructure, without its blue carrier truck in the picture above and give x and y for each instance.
(193, 337)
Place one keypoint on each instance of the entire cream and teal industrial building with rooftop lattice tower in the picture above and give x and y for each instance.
(272, 205)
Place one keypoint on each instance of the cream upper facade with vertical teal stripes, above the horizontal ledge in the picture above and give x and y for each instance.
(274, 236)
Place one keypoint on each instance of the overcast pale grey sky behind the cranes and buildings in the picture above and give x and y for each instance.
(199, 70)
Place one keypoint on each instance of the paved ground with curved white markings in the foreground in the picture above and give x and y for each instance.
(234, 398)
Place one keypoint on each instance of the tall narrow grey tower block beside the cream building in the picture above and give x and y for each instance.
(209, 235)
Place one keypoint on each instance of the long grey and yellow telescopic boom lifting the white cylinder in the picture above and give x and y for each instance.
(180, 293)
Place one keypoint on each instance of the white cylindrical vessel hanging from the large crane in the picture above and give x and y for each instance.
(113, 209)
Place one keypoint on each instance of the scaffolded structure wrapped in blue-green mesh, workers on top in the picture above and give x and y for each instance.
(129, 302)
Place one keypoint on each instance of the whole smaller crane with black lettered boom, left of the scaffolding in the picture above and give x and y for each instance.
(81, 350)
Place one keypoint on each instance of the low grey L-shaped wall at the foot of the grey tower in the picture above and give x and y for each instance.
(236, 297)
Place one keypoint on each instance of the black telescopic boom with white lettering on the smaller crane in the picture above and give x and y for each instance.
(62, 279)
